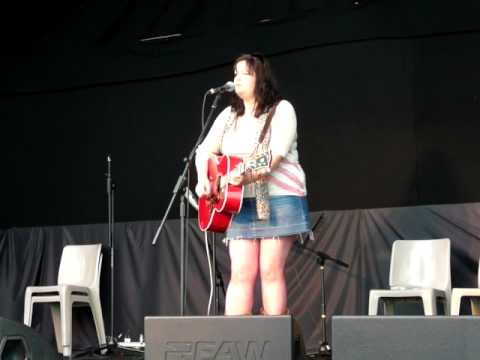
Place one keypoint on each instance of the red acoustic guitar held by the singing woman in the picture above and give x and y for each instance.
(215, 212)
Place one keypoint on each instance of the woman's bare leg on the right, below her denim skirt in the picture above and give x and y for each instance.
(273, 255)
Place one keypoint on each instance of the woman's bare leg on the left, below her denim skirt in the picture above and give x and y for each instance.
(244, 270)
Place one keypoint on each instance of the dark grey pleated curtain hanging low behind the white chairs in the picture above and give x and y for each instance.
(147, 277)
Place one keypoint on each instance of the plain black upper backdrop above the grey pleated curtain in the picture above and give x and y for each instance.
(386, 94)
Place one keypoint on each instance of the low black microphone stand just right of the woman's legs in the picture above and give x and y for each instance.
(320, 258)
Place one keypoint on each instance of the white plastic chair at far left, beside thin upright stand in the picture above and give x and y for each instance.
(78, 282)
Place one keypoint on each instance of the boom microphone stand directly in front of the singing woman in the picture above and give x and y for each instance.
(180, 182)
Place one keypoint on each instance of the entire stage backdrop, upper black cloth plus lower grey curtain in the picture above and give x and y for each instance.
(387, 96)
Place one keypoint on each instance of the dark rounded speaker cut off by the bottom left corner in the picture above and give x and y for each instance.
(19, 342)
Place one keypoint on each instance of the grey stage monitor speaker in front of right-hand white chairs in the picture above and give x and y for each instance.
(405, 337)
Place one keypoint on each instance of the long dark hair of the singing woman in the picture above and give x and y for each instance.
(266, 89)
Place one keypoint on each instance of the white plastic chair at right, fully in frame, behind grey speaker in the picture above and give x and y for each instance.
(418, 269)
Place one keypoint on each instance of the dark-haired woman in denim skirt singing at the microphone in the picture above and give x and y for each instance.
(274, 210)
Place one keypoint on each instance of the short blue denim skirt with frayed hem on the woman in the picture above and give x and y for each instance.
(289, 216)
